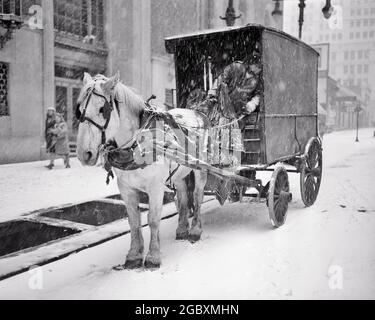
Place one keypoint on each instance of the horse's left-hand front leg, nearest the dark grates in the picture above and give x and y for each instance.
(134, 258)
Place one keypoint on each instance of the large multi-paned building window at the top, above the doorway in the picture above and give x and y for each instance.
(80, 17)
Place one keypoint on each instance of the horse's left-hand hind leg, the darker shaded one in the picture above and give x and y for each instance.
(182, 232)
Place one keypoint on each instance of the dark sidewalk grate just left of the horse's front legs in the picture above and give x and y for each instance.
(95, 213)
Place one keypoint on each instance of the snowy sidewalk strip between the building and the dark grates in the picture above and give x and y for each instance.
(26, 187)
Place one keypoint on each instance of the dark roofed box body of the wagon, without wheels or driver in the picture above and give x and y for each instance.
(288, 114)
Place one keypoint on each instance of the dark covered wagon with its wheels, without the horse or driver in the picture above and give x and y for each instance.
(283, 128)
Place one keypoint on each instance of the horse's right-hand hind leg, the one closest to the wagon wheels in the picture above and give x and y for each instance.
(196, 226)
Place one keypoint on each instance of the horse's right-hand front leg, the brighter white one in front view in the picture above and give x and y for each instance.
(153, 259)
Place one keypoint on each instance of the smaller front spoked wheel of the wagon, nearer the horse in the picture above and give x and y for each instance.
(278, 197)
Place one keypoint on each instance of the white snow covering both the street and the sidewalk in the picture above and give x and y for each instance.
(326, 251)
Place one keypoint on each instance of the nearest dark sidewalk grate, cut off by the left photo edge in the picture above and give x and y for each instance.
(19, 235)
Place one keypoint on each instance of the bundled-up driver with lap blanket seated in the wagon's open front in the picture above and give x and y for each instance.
(235, 93)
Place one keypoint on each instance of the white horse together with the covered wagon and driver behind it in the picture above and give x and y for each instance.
(255, 87)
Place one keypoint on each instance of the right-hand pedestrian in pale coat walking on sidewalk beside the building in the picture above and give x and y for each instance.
(61, 147)
